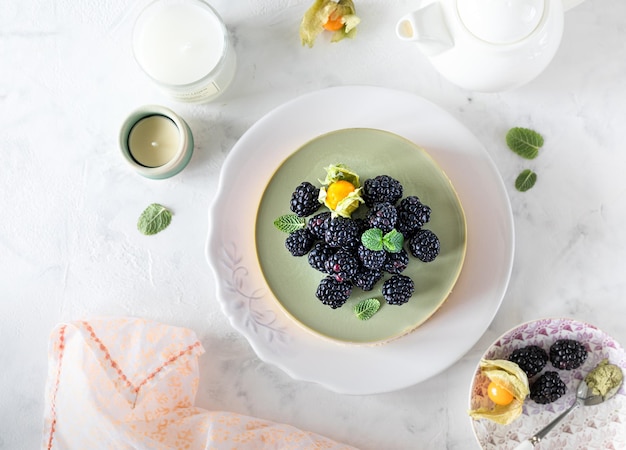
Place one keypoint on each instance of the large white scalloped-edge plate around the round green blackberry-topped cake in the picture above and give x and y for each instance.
(248, 302)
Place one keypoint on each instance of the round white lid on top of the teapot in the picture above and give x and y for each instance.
(501, 21)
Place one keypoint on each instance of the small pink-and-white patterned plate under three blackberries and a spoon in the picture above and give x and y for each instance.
(592, 427)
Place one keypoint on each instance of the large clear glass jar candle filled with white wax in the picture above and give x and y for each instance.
(183, 46)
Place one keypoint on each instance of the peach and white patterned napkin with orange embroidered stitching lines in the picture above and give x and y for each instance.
(127, 383)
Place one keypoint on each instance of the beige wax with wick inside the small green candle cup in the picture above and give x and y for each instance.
(154, 141)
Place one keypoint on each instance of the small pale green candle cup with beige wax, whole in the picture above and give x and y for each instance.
(156, 142)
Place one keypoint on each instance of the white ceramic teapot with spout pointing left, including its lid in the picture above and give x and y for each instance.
(487, 45)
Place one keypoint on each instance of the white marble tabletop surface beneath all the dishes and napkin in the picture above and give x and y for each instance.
(69, 248)
